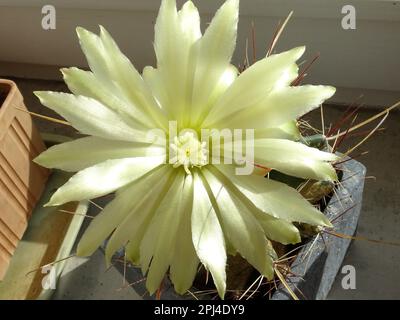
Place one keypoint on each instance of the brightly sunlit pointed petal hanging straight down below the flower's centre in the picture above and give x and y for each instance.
(208, 238)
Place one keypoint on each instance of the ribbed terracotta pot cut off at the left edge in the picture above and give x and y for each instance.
(21, 181)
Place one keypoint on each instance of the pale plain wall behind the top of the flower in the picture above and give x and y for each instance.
(362, 61)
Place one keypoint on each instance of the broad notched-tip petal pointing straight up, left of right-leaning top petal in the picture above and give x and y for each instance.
(175, 34)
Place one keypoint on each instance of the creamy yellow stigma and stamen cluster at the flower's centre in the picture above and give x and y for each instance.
(188, 151)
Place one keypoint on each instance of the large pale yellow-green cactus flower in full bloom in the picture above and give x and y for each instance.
(173, 207)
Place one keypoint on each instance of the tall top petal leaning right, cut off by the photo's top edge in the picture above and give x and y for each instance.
(214, 55)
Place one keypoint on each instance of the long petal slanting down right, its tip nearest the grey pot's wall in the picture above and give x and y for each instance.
(275, 198)
